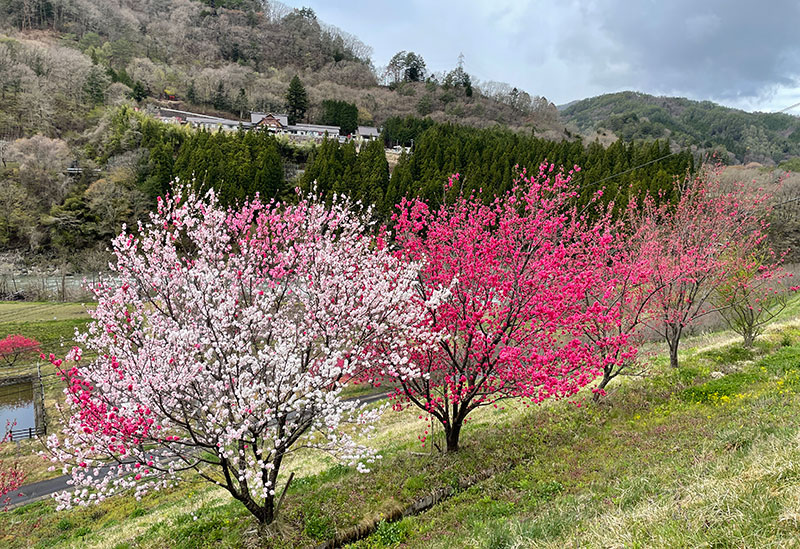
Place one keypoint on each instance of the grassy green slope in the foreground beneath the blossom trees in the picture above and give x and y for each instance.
(676, 459)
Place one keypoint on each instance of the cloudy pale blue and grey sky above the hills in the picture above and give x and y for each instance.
(740, 53)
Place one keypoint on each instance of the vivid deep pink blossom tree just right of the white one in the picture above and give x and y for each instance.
(514, 324)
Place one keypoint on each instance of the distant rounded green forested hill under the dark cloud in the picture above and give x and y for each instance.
(741, 137)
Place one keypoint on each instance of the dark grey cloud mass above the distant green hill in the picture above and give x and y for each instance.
(720, 48)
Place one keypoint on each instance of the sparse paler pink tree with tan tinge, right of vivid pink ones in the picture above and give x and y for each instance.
(694, 246)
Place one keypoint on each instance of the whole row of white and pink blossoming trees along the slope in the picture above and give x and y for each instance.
(225, 336)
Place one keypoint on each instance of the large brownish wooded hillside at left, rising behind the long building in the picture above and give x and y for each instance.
(75, 163)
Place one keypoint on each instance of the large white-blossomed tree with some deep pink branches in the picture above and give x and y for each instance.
(223, 340)
